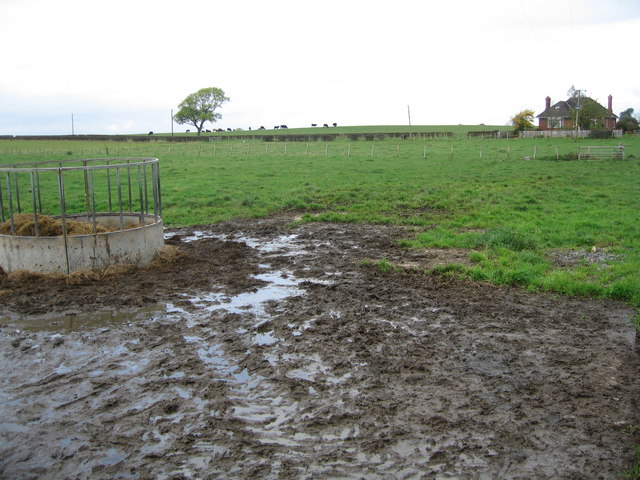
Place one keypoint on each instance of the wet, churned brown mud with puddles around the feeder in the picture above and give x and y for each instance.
(272, 351)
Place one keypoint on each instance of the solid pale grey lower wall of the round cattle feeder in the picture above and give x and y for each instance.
(136, 245)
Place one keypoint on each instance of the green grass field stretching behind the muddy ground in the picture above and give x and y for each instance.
(513, 215)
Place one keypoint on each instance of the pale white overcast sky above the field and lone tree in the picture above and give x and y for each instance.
(122, 66)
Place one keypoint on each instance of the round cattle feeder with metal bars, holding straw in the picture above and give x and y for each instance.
(121, 194)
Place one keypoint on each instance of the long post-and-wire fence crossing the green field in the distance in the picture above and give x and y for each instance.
(437, 148)
